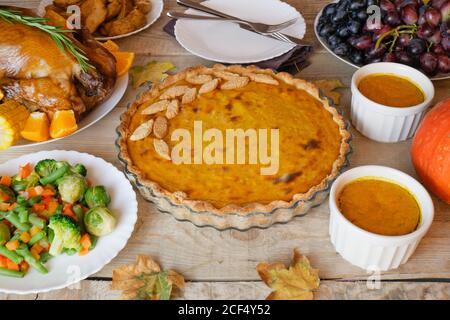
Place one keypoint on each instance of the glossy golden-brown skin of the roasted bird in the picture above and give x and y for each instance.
(41, 76)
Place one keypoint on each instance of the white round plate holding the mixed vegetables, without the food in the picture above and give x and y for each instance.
(66, 270)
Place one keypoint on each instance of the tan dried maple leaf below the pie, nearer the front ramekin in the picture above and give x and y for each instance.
(296, 283)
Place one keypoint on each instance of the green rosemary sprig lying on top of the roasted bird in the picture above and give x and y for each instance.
(56, 33)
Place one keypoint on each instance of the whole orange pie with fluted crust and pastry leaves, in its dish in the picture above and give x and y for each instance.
(314, 143)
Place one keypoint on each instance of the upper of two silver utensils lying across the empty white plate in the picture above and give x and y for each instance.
(258, 27)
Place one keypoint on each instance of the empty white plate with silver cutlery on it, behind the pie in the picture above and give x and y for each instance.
(226, 42)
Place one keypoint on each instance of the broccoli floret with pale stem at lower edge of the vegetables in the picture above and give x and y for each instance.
(67, 234)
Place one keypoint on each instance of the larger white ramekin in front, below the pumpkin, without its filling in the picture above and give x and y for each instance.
(372, 251)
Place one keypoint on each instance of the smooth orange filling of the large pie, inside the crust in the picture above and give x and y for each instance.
(309, 144)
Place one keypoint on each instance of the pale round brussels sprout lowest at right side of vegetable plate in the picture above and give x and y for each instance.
(99, 221)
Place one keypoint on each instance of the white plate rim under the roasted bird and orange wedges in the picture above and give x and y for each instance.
(92, 117)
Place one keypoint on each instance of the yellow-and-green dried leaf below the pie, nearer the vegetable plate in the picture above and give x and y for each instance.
(145, 280)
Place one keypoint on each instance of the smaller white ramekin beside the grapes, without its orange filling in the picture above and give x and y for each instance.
(388, 124)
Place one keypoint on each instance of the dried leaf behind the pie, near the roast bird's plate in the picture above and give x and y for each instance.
(153, 72)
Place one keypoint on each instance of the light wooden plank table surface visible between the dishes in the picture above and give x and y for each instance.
(221, 265)
